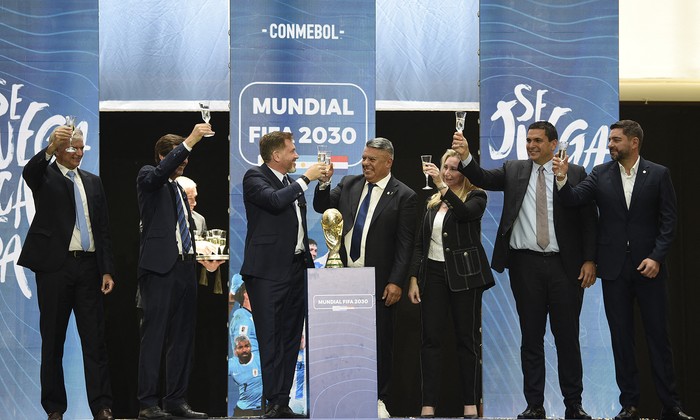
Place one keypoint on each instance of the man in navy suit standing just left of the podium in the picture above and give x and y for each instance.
(275, 261)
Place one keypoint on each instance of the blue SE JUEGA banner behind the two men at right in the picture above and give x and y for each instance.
(555, 61)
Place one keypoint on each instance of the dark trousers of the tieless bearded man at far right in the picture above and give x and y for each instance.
(619, 295)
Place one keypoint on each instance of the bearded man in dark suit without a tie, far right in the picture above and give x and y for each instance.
(637, 206)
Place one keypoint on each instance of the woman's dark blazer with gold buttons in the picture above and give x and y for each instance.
(466, 264)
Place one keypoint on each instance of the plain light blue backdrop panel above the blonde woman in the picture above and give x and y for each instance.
(428, 50)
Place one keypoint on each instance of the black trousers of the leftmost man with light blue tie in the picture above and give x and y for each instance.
(76, 288)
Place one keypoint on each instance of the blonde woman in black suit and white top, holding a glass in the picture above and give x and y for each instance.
(449, 269)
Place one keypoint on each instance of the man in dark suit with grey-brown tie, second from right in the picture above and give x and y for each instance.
(549, 250)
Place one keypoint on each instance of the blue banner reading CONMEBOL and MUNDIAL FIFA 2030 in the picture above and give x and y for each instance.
(304, 68)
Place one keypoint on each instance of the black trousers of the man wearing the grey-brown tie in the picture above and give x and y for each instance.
(541, 288)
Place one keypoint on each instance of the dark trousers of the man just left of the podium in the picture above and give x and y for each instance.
(279, 308)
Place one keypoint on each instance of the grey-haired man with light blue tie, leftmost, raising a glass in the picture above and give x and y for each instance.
(69, 249)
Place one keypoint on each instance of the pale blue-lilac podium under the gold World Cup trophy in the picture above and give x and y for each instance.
(342, 343)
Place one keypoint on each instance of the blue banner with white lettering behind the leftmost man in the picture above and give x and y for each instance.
(49, 67)
